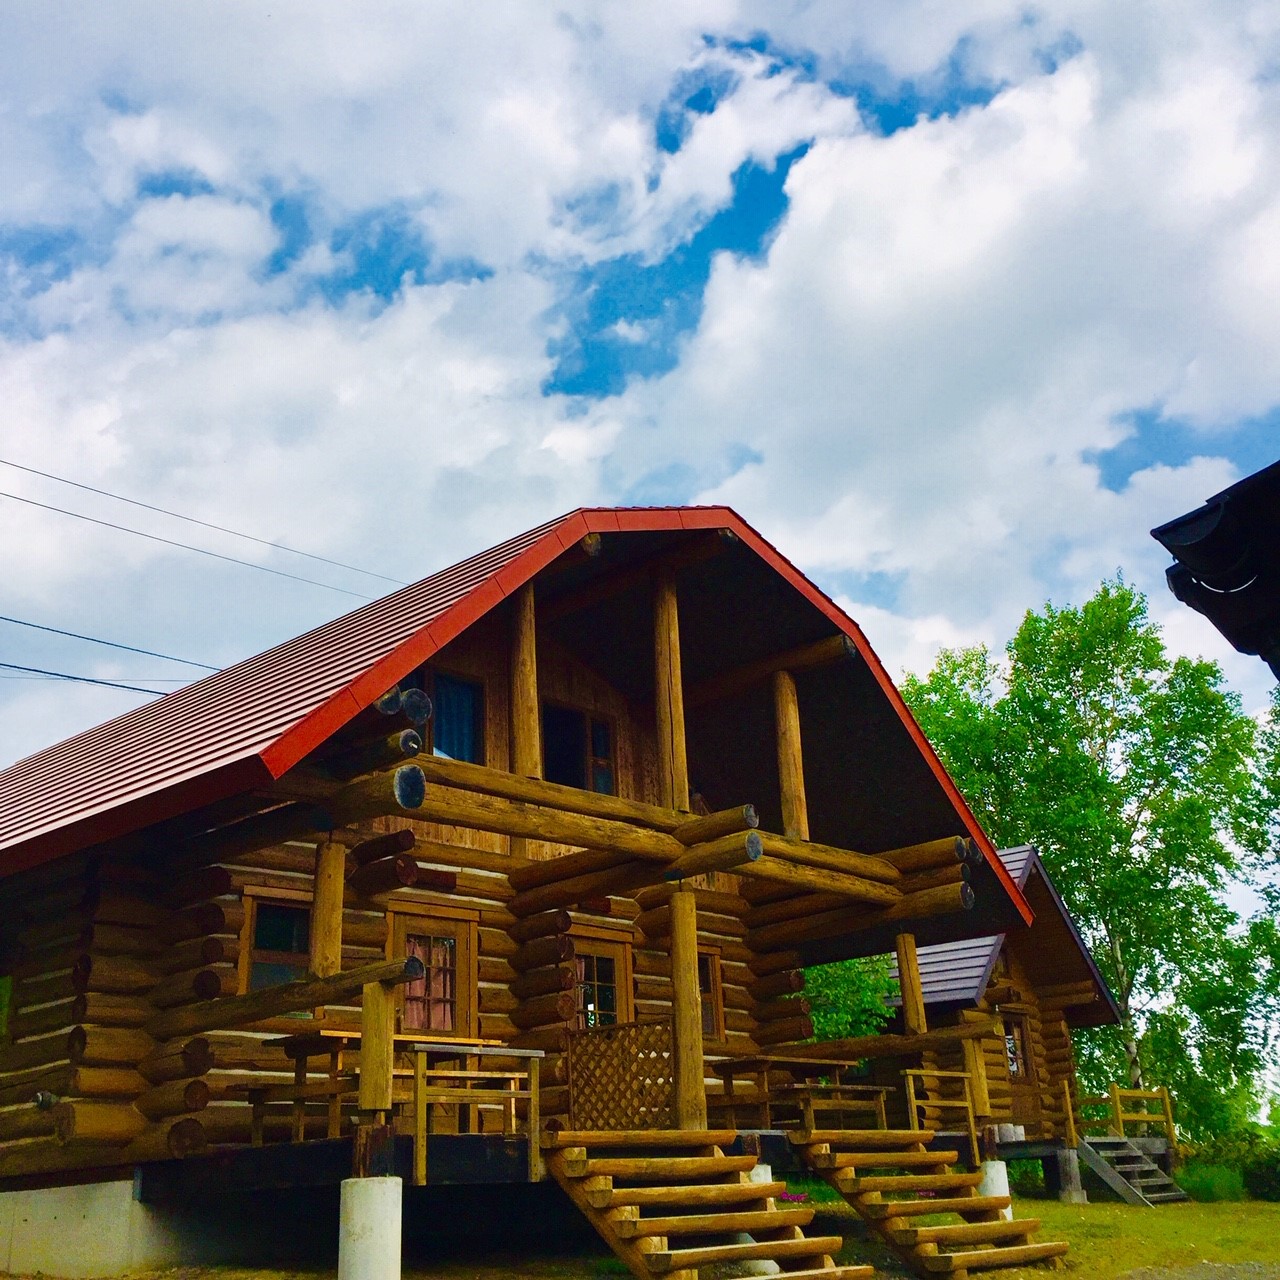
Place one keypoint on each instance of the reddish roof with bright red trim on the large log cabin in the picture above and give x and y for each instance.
(250, 724)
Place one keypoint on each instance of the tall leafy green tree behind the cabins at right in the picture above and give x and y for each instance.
(1139, 779)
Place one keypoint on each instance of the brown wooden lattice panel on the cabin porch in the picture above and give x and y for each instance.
(621, 1077)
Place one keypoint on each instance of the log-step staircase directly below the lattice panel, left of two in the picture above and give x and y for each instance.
(671, 1203)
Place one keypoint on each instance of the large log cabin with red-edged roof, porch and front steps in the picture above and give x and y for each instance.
(509, 876)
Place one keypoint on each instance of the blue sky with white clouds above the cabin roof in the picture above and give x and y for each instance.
(953, 307)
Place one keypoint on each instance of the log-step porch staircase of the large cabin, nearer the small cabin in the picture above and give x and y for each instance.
(892, 1180)
